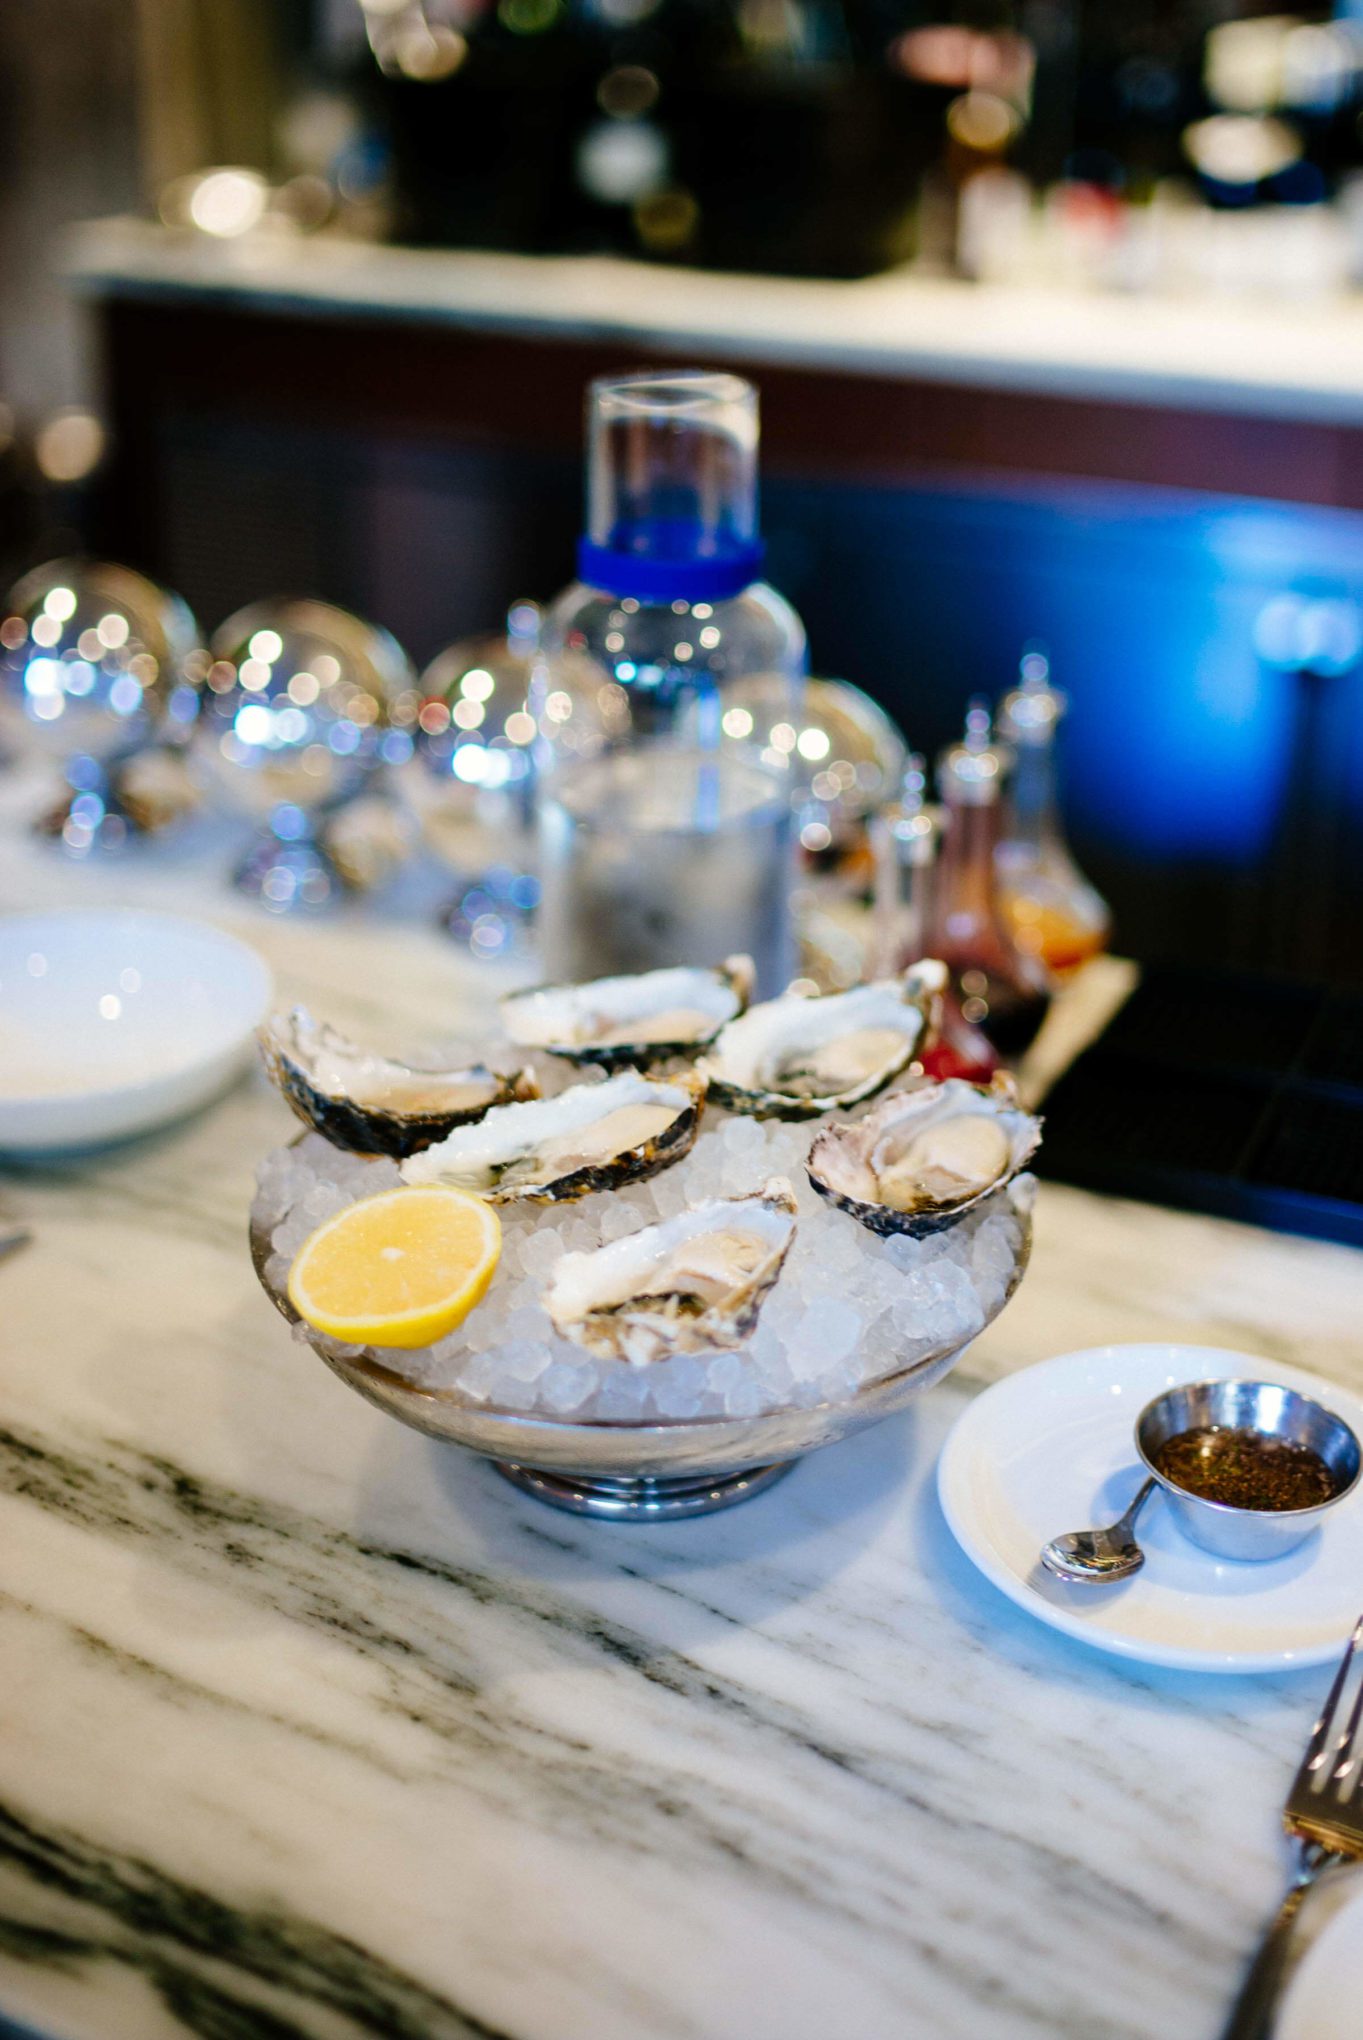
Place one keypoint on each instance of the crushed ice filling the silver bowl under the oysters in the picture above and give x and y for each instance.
(846, 1311)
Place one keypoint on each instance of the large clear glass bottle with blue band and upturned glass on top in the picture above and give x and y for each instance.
(666, 829)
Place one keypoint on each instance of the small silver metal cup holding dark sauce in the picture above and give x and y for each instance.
(1266, 1411)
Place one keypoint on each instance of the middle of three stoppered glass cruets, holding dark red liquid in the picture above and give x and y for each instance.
(999, 986)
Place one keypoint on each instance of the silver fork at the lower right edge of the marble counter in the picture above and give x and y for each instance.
(1325, 1819)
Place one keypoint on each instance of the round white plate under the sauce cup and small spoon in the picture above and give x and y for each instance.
(1052, 1449)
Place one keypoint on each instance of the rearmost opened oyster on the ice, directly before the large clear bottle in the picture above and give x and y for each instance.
(640, 1019)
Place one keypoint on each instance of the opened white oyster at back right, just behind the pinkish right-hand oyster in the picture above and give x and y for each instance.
(795, 1058)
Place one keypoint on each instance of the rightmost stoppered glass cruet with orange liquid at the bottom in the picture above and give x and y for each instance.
(1052, 909)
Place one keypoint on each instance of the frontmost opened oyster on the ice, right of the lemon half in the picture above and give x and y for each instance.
(693, 1284)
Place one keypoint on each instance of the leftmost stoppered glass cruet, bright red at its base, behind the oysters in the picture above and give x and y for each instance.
(907, 841)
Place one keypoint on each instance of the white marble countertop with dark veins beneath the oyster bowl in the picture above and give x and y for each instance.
(317, 1729)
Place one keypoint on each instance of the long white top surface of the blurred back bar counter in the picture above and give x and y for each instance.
(1280, 360)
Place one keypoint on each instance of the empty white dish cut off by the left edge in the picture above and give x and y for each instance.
(113, 1023)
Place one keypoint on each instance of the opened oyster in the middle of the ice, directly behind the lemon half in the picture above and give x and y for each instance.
(556, 1150)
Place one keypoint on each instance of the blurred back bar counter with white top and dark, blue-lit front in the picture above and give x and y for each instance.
(1164, 491)
